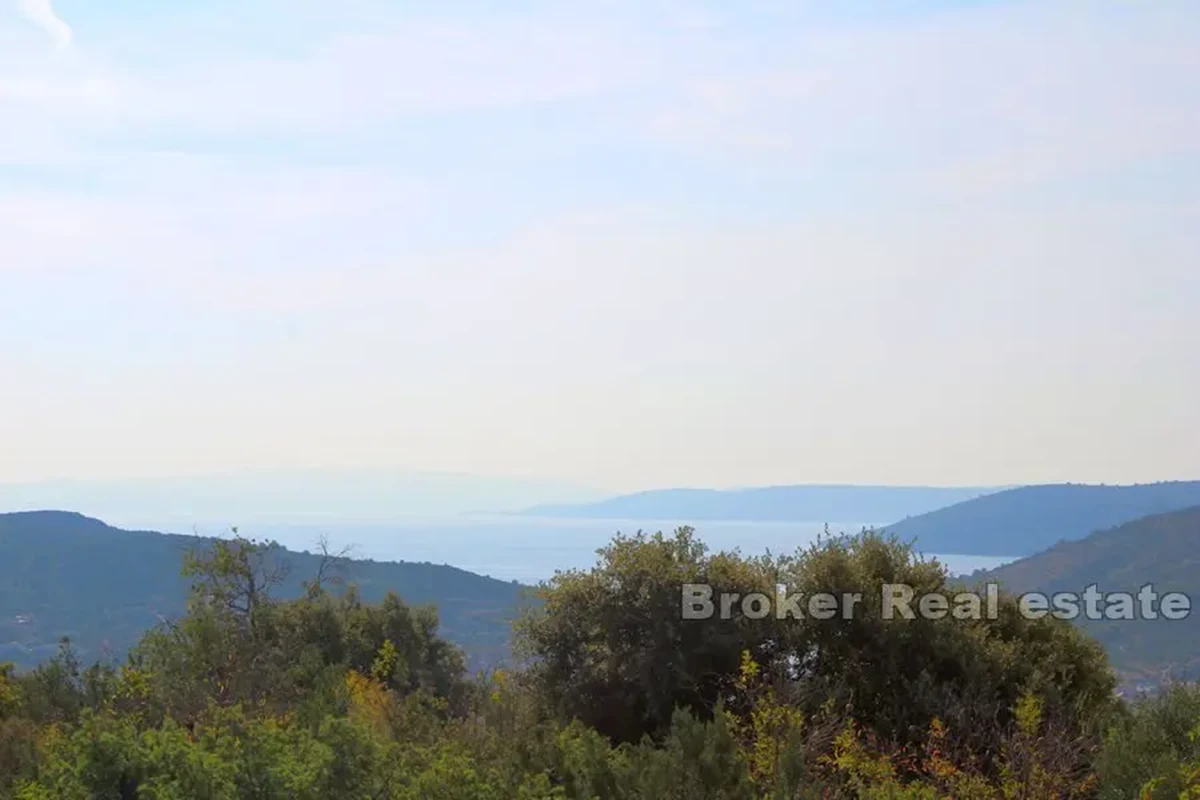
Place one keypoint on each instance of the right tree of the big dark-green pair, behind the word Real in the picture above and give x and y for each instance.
(898, 676)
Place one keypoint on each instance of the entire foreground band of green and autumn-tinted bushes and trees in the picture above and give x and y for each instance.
(328, 696)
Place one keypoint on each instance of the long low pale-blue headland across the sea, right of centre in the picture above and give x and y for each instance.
(815, 503)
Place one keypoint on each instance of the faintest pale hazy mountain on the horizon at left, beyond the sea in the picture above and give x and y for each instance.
(334, 494)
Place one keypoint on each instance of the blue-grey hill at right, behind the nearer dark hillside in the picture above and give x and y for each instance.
(1031, 519)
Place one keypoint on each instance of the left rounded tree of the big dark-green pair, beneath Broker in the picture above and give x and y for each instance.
(610, 647)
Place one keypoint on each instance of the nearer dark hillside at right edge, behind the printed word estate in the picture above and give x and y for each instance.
(1160, 550)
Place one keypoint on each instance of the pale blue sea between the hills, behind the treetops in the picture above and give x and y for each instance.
(527, 550)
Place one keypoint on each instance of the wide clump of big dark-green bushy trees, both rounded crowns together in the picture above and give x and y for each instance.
(610, 647)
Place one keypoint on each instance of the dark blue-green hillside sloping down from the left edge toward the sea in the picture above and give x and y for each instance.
(68, 575)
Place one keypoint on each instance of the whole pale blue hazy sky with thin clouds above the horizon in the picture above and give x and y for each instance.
(633, 244)
